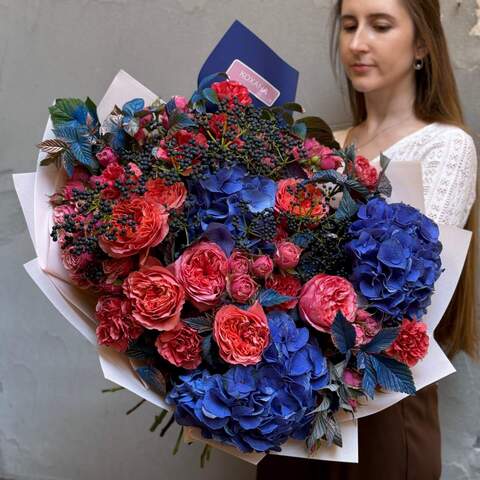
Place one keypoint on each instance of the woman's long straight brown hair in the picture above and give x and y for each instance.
(437, 100)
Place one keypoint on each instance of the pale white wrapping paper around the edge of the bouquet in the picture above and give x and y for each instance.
(78, 306)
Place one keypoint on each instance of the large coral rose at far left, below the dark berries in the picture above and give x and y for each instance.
(151, 227)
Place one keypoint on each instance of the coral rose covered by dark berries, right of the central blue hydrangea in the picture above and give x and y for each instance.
(308, 201)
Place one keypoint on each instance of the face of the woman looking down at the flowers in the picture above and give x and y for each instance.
(377, 44)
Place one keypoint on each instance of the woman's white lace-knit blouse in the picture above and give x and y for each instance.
(449, 169)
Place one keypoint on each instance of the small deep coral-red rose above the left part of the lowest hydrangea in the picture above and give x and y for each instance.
(181, 346)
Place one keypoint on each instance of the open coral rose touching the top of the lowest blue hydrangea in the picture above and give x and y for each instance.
(241, 335)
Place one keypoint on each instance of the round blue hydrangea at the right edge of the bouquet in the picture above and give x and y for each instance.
(396, 257)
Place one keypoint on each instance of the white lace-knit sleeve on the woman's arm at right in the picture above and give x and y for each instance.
(449, 177)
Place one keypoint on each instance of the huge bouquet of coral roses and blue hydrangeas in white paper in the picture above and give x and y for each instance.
(238, 268)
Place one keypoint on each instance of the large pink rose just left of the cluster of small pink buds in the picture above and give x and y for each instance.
(202, 271)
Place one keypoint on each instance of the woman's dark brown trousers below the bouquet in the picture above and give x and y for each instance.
(399, 443)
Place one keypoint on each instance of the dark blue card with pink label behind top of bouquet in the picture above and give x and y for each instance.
(248, 60)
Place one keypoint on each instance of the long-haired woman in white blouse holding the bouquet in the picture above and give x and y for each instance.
(405, 104)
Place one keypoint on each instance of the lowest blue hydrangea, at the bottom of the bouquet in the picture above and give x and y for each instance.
(257, 408)
